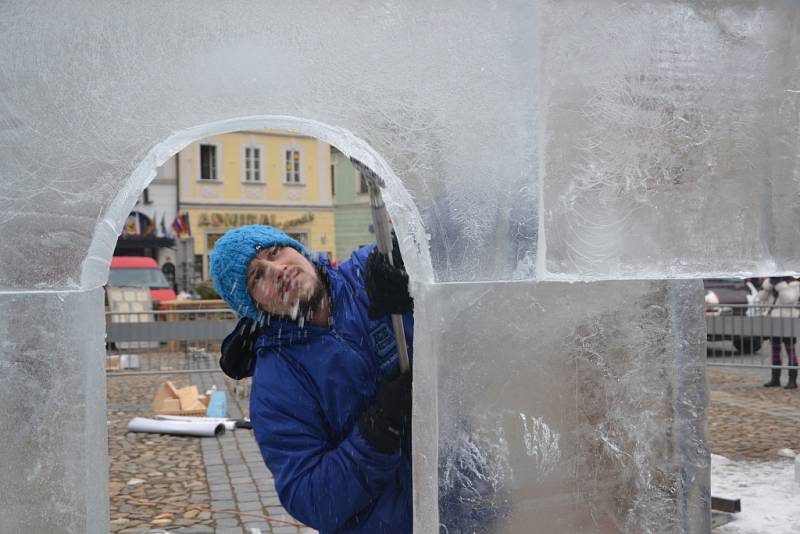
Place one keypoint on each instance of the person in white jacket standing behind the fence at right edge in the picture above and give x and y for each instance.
(780, 295)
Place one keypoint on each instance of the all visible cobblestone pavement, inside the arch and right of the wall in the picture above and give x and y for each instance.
(175, 483)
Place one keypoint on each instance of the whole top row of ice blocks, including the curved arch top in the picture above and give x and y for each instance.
(608, 117)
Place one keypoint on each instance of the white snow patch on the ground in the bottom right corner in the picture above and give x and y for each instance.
(768, 491)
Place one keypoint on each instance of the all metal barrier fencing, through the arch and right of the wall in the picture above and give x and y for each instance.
(183, 341)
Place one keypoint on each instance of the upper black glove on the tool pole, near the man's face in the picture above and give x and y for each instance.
(386, 284)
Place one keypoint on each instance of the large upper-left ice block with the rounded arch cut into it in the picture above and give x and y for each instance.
(410, 88)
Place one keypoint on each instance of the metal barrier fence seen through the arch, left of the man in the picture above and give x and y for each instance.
(165, 342)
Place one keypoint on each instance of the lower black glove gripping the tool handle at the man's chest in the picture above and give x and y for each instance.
(388, 420)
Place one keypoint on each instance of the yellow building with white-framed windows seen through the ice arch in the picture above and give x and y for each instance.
(257, 177)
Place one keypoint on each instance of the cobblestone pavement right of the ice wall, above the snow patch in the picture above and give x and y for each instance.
(748, 421)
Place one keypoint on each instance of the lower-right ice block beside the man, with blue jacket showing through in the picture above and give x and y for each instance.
(572, 407)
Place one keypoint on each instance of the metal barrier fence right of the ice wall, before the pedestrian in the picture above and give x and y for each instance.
(742, 335)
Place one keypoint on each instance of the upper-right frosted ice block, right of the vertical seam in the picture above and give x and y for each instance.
(669, 138)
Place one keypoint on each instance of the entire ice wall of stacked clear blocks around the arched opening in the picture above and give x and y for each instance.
(557, 139)
